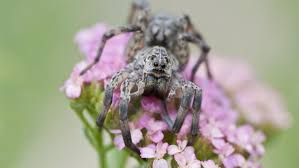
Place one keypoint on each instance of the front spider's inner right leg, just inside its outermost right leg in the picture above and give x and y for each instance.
(183, 109)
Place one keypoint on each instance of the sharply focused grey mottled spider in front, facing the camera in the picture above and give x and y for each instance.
(152, 72)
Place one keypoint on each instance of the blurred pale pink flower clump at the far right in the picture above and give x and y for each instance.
(251, 102)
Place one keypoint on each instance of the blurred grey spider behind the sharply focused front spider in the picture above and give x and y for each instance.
(173, 33)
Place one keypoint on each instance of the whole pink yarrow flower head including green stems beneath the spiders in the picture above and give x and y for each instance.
(235, 95)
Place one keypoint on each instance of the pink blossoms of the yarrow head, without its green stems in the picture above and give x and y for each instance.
(235, 145)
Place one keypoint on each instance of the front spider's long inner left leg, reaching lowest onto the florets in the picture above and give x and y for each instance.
(125, 98)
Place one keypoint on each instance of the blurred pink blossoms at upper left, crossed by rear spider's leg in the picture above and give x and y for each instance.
(112, 58)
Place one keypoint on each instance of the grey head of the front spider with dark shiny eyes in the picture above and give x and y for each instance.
(158, 63)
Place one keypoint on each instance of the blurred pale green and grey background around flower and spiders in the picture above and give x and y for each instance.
(37, 53)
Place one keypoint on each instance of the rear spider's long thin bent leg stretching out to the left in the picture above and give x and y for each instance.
(108, 35)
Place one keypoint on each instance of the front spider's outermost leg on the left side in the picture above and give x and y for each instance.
(115, 81)
